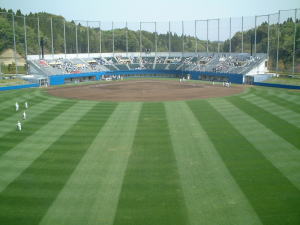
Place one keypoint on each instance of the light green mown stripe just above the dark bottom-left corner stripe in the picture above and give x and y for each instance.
(17, 159)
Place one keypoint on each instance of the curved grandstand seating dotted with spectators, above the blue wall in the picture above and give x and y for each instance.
(236, 63)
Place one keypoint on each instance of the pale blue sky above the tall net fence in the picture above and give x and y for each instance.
(150, 10)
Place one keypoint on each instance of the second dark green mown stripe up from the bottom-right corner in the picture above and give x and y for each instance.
(279, 126)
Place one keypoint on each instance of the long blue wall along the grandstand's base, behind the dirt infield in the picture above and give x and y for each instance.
(195, 75)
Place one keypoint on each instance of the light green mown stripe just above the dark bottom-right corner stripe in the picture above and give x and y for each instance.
(278, 151)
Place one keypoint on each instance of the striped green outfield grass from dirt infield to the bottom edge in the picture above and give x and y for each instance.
(232, 160)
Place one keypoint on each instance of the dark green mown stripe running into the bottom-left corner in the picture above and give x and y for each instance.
(28, 198)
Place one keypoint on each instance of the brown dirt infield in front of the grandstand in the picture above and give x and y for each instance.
(145, 90)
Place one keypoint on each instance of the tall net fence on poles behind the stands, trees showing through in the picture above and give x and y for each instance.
(277, 35)
